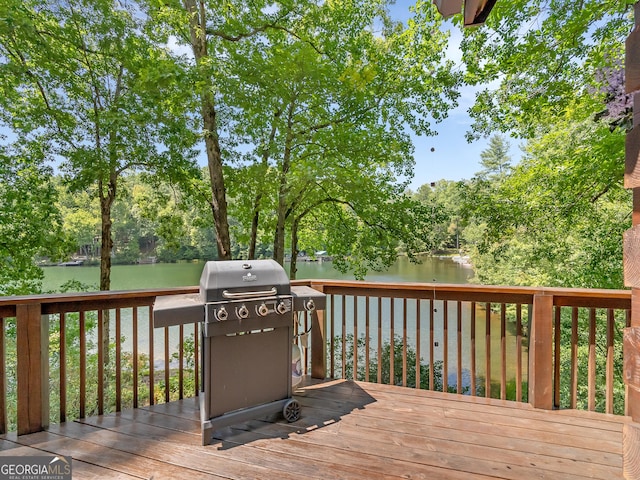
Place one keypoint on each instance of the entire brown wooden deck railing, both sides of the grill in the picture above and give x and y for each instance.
(553, 348)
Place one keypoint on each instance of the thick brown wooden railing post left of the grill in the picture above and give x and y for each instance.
(33, 368)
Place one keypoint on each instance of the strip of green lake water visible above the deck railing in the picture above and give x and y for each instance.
(161, 275)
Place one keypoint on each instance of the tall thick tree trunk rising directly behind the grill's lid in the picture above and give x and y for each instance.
(197, 28)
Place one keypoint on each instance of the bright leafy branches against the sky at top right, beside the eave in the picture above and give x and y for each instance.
(539, 71)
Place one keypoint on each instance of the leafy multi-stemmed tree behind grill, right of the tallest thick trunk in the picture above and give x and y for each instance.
(328, 114)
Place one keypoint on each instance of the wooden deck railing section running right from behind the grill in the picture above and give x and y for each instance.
(552, 347)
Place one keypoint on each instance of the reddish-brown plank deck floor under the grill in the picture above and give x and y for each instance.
(347, 431)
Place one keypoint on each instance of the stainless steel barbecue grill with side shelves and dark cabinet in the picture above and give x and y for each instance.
(246, 313)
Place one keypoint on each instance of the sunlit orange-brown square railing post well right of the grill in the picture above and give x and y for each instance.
(541, 353)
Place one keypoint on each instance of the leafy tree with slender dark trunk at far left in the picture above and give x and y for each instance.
(85, 78)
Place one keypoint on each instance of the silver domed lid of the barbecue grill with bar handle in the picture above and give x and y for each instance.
(238, 279)
